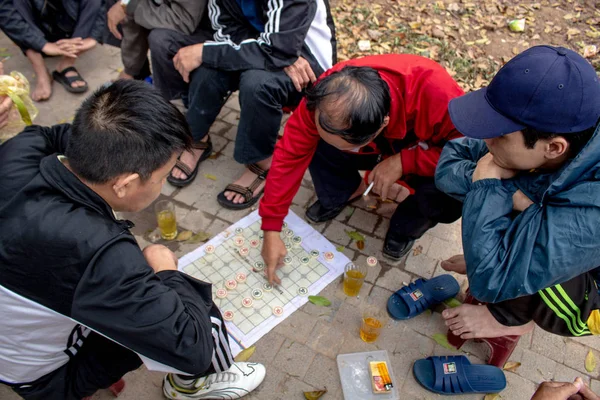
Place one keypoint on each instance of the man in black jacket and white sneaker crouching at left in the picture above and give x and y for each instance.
(81, 304)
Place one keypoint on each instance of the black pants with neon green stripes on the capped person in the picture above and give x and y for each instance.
(561, 309)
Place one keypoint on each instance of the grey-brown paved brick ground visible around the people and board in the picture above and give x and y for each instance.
(300, 353)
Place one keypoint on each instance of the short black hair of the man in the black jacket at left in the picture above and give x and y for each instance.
(127, 127)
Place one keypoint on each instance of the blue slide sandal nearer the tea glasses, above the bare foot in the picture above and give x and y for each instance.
(420, 295)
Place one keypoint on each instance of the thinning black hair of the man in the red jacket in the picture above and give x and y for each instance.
(366, 102)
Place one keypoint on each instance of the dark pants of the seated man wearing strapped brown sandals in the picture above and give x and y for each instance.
(263, 94)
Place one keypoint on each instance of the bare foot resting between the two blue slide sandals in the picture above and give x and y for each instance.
(471, 322)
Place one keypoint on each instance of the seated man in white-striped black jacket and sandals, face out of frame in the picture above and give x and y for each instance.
(270, 51)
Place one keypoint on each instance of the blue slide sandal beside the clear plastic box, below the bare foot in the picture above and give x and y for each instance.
(451, 375)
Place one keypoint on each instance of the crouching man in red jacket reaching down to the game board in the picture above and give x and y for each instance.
(388, 114)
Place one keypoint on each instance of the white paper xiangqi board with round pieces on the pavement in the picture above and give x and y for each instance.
(232, 262)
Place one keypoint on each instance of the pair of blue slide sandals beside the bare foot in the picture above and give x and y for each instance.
(447, 375)
